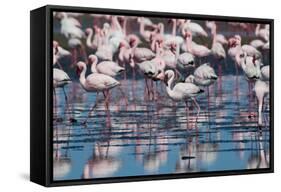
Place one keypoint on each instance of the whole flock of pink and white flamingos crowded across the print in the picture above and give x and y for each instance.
(158, 51)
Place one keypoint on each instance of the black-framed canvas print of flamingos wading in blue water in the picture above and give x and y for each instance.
(119, 95)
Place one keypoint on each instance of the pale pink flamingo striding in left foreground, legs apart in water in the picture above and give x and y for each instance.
(95, 82)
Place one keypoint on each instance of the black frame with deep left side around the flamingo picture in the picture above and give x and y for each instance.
(41, 95)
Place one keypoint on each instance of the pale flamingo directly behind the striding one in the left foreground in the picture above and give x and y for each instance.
(109, 68)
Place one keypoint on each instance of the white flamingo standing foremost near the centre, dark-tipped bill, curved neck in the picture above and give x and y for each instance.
(182, 91)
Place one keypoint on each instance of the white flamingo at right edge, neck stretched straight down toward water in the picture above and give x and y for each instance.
(261, 90)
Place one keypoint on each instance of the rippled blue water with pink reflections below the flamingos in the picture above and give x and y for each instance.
(158, 136)
